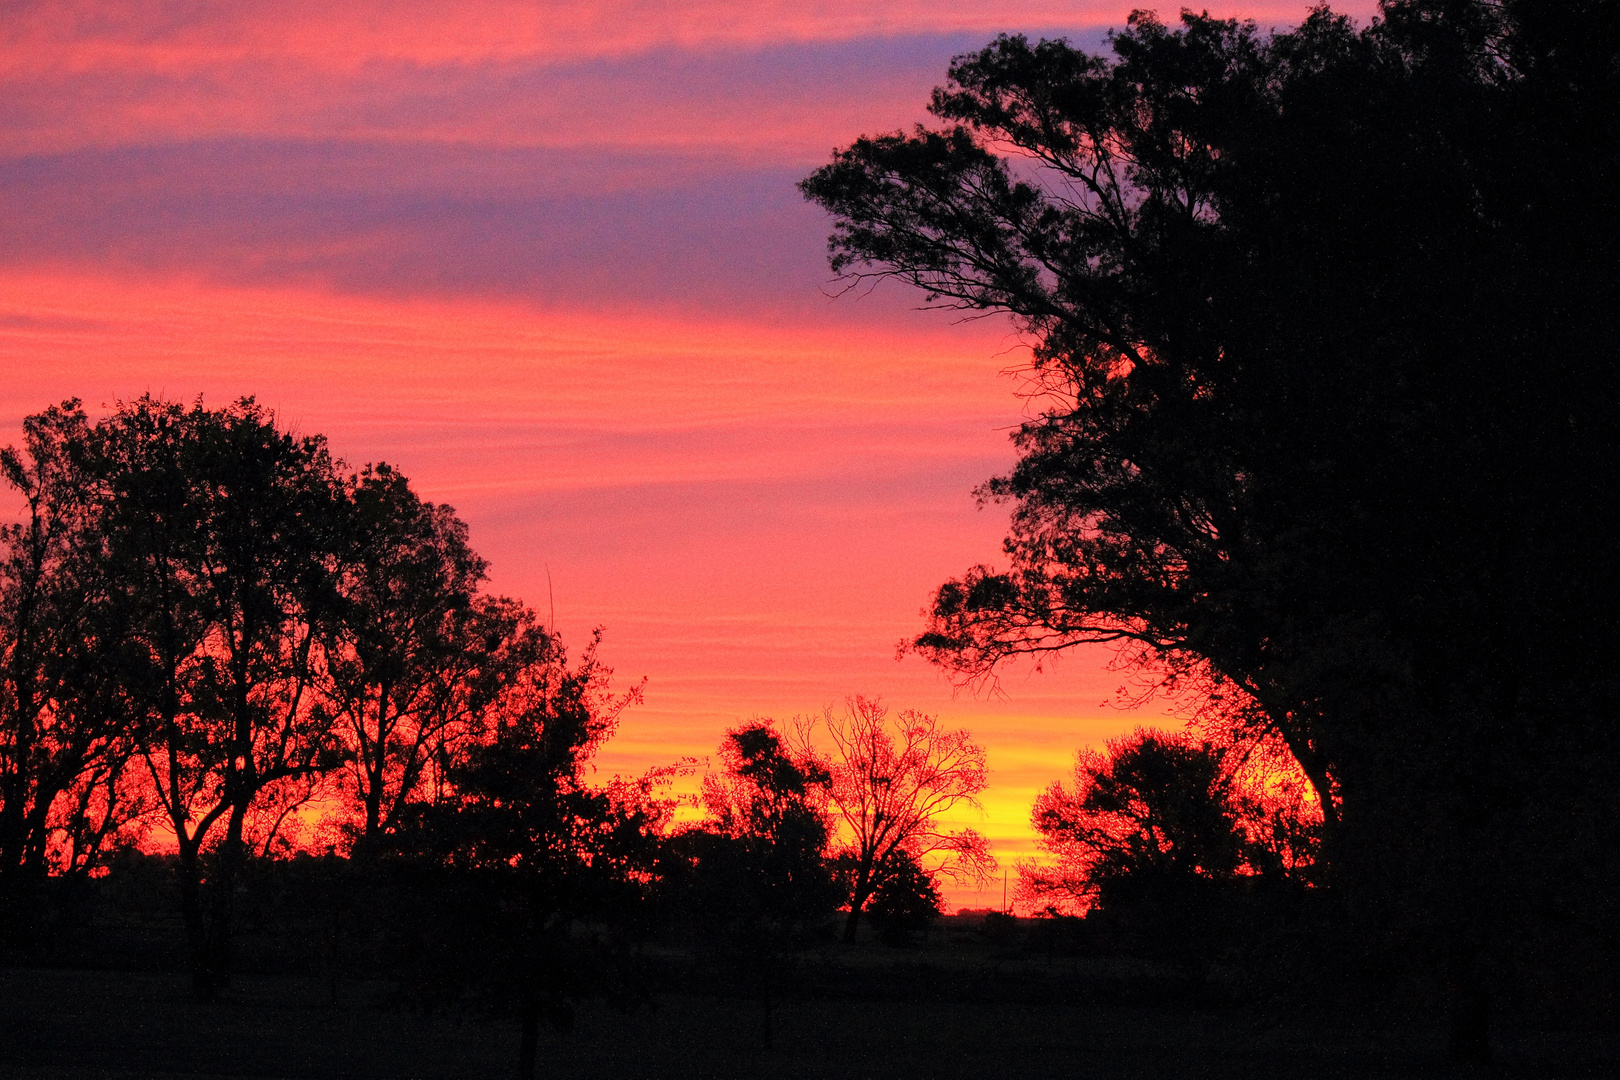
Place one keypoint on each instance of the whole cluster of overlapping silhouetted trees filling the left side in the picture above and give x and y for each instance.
(210, 624)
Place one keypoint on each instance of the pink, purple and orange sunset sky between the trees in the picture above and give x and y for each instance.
(548, 260)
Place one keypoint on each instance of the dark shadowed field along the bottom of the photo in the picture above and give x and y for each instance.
(75, 1024)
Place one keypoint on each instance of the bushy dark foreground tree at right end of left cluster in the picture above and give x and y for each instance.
(524, 865)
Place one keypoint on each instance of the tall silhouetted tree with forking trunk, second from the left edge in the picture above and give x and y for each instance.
(221, 532)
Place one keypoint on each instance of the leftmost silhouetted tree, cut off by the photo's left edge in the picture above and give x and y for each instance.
(67, 721)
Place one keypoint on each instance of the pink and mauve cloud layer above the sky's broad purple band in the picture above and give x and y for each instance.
(744, 80)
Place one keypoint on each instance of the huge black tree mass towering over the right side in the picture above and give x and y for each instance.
(1324, 338)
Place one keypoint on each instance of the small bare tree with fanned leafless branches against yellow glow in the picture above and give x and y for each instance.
(893, 778)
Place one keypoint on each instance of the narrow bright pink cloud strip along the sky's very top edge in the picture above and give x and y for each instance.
(182, 36)
